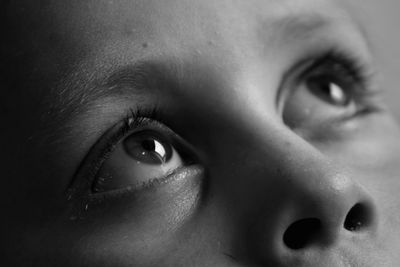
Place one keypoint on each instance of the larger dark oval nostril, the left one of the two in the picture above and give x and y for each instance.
(302, 233)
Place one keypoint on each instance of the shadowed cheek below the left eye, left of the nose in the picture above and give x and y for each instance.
(139, 230)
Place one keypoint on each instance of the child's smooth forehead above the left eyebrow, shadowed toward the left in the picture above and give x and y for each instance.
(61, 35)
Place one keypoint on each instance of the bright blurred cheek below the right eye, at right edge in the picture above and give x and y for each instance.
(369, 146)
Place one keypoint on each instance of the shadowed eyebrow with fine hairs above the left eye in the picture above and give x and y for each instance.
(137, 79)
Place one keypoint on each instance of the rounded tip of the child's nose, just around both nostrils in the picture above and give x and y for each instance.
(332, 208)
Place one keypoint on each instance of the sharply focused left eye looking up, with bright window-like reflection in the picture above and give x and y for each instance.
(139, 159)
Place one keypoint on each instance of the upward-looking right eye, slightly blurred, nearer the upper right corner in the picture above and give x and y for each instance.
(332, 89)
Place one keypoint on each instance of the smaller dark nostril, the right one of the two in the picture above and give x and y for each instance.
(358, 218)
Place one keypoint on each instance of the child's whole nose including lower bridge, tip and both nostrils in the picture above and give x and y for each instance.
(309, 209)
